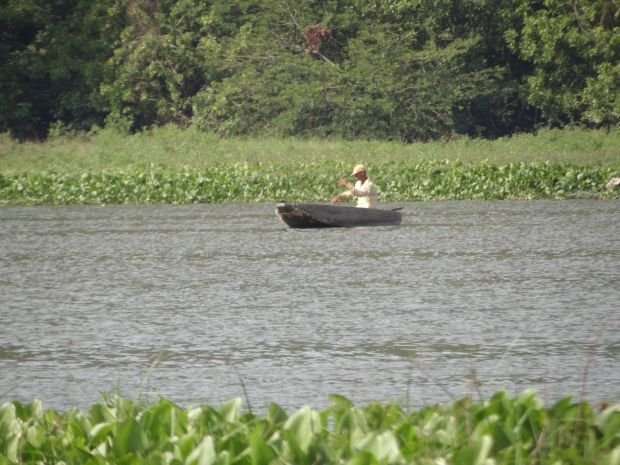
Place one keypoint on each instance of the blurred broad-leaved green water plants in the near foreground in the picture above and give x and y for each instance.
(502, 430)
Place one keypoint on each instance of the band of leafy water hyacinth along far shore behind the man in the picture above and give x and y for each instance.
(314, 182)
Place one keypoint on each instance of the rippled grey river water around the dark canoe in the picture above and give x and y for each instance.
(196, 302)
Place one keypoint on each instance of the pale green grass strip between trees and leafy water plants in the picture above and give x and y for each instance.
(175, 147)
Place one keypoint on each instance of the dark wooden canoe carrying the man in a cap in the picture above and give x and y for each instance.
(312, 215)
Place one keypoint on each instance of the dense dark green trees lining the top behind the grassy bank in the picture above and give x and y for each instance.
(380, 69)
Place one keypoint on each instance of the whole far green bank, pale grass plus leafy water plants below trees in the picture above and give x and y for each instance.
(171, 165)
